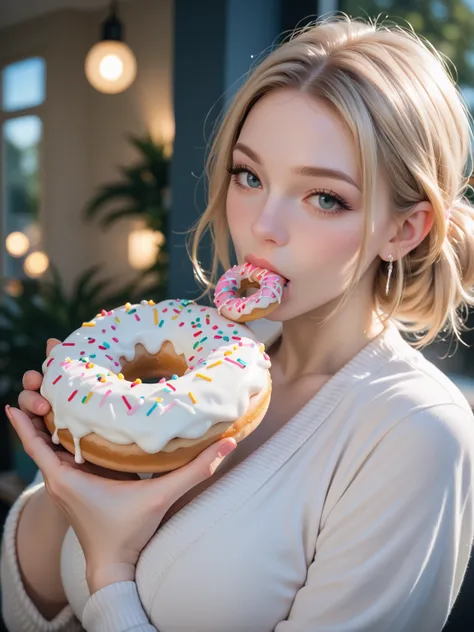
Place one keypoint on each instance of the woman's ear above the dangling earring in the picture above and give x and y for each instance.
(412, 231)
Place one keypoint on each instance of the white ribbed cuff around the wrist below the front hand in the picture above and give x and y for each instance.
(116, 607)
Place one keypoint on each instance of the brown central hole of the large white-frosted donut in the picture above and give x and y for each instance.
(152, 368)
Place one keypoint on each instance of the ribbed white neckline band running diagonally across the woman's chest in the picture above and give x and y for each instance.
(234, 487)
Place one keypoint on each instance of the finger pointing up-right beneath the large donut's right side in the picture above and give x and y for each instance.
(202, 467)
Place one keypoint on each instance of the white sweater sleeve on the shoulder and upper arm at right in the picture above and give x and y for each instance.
(393, 549)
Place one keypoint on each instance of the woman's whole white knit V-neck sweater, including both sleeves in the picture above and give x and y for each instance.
(358, 515)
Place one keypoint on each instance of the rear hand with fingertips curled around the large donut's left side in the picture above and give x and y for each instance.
(35, 407)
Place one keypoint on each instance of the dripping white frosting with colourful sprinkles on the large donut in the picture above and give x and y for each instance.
(82, 384)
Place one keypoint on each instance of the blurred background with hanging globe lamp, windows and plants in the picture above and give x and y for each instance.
(105, 112)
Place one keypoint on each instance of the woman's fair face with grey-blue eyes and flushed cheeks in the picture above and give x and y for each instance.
(294, 199)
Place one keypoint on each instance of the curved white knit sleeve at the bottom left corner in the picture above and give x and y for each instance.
(18, 610)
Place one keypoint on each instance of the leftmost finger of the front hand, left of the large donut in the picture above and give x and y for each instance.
(34, 445)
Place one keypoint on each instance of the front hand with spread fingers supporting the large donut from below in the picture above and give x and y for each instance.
(113, 520)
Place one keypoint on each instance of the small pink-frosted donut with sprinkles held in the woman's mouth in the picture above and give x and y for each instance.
(234, 282)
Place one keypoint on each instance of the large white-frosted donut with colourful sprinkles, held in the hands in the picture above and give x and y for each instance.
(217, 384)
